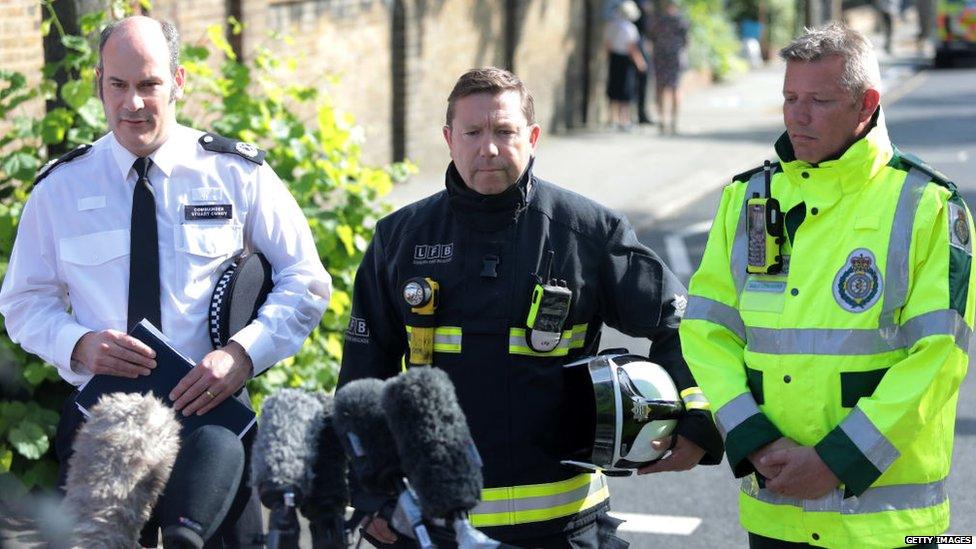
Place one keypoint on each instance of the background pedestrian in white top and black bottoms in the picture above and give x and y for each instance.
(622, 39)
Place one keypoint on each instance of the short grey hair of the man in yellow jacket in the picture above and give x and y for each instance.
(861, 71)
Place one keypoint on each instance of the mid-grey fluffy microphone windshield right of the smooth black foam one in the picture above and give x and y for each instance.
(285, 447)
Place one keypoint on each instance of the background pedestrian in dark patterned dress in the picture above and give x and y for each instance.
(668, 32)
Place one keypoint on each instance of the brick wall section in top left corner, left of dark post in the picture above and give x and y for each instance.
(21, 46)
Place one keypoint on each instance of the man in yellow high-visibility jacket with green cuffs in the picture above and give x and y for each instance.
(834, 381)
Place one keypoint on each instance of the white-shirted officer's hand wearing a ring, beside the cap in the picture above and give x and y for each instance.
(219, 375)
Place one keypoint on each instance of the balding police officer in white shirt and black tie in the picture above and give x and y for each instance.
(73, 280)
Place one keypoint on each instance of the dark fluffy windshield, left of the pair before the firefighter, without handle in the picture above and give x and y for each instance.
(364, 434)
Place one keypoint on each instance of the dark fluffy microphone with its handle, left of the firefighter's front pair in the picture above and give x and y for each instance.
(364, 434)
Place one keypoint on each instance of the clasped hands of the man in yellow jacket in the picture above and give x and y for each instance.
(802, 473)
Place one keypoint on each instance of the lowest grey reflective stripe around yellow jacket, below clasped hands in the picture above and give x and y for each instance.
(896, 497)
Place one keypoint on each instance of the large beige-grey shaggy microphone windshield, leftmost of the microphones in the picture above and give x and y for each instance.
(123, 455)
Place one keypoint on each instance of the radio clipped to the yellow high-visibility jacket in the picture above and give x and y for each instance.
(764, 227)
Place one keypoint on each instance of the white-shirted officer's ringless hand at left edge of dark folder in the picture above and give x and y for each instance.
(114, 353)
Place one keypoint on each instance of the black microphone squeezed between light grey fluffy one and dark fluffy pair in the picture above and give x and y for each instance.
(325, 503)
